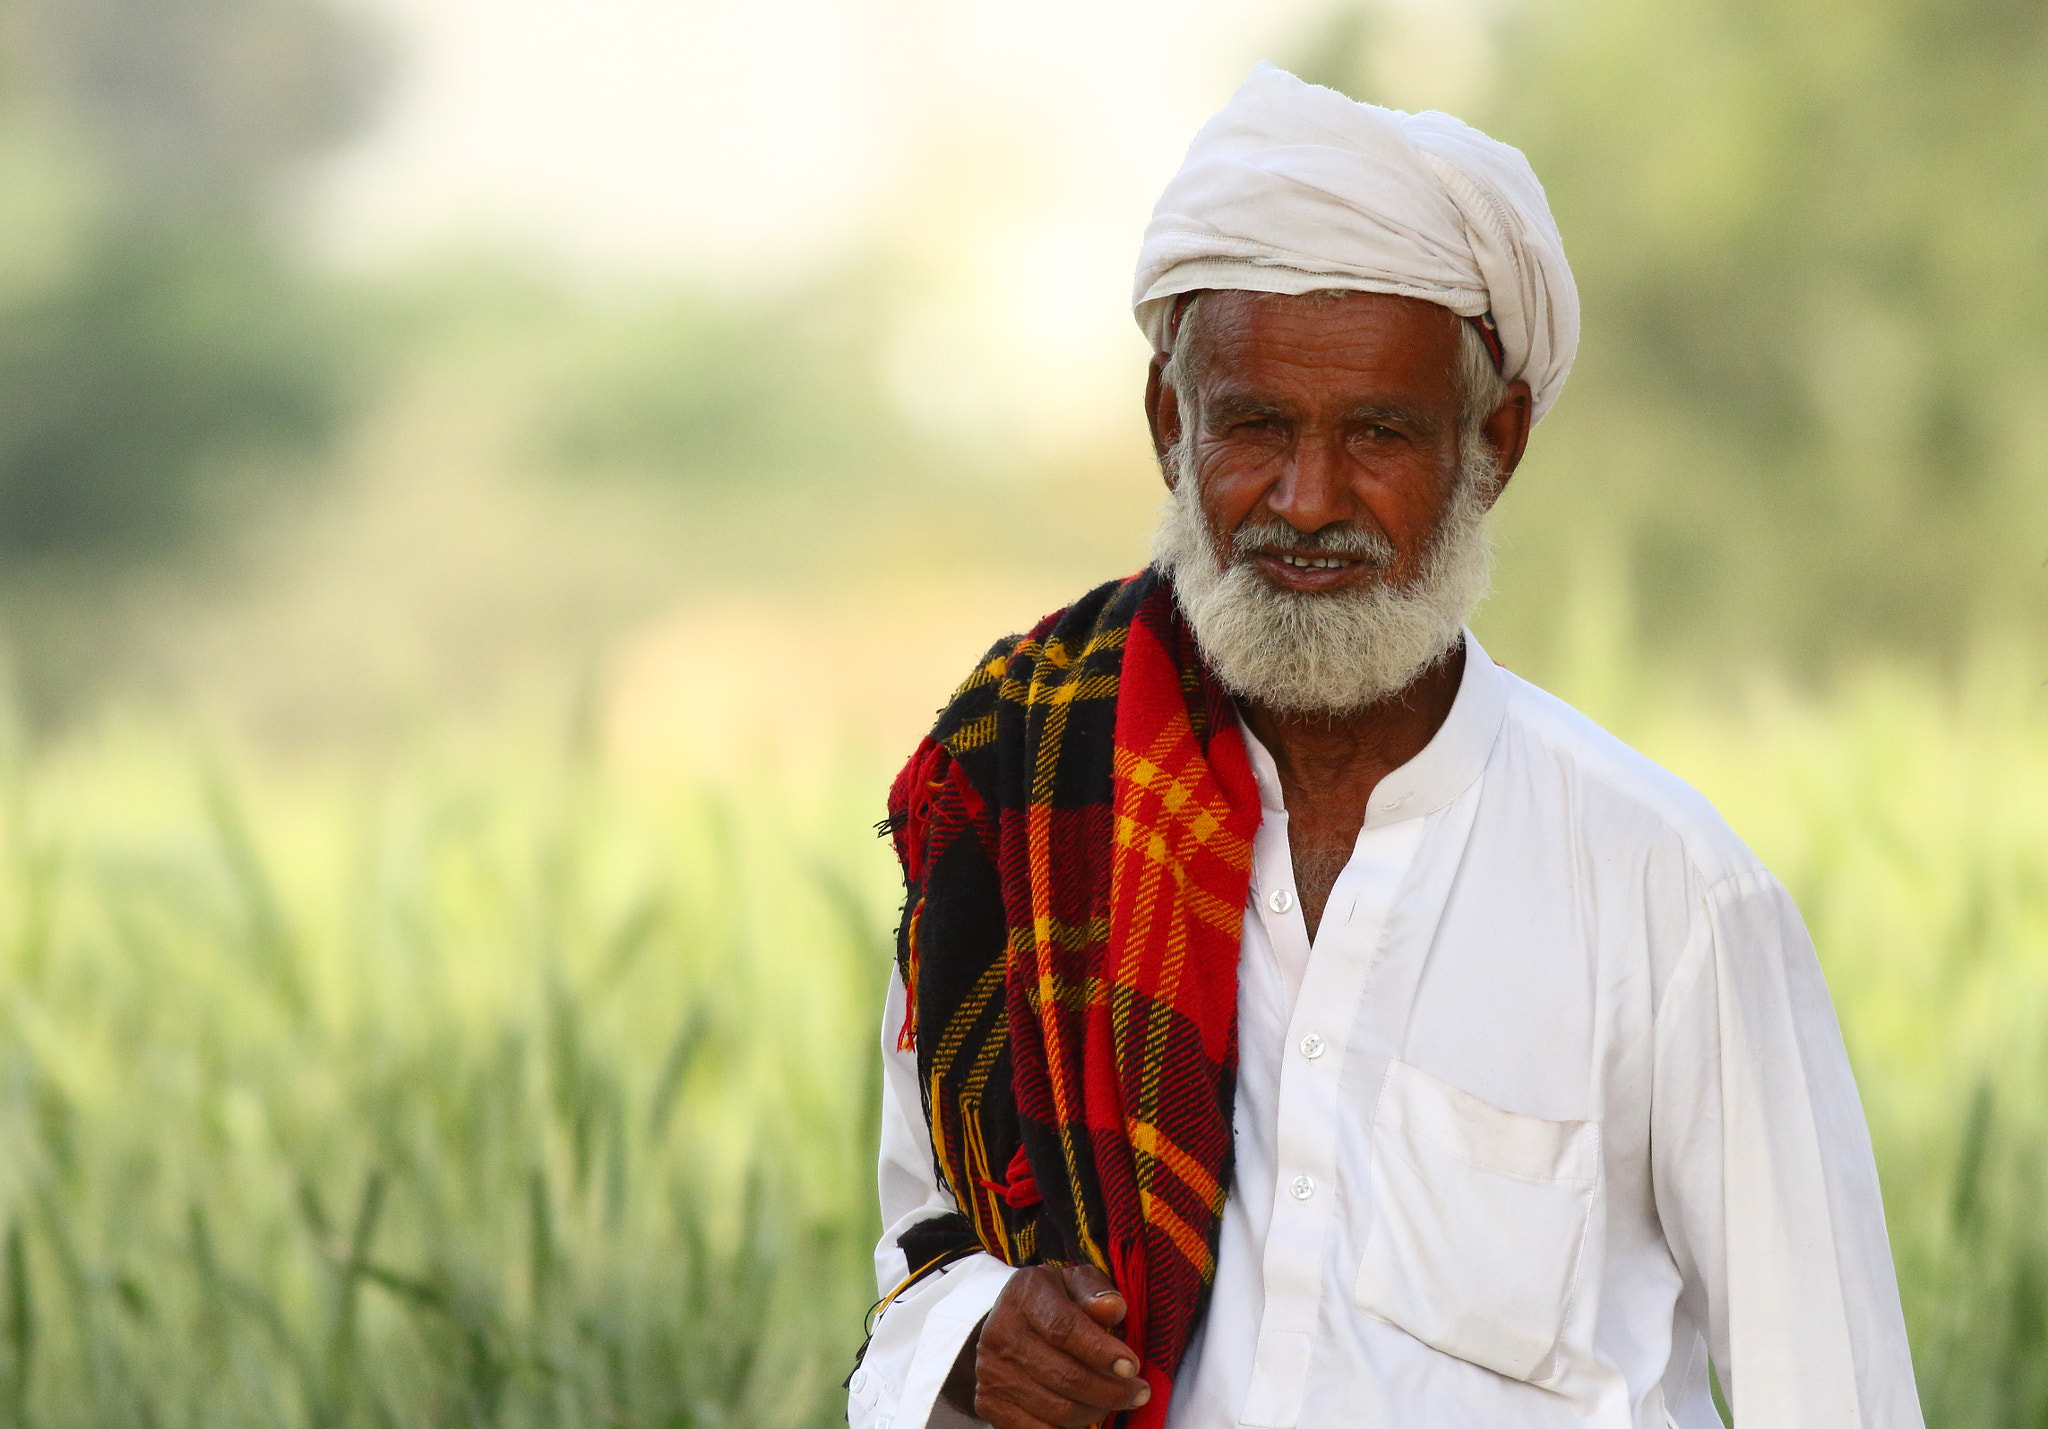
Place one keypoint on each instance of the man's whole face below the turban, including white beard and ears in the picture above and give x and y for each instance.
(1328, 525)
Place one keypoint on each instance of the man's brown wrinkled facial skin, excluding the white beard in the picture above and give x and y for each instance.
(1322, 413)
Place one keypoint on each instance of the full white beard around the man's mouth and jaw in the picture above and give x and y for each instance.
(1338, 652)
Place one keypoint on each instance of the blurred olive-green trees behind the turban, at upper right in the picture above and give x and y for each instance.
(1807, 417)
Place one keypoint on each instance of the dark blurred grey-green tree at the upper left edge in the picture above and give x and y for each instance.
(159, 345)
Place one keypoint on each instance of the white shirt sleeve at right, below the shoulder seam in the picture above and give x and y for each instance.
(1766, 1182)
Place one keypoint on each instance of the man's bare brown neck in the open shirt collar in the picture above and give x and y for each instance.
(1332, 765)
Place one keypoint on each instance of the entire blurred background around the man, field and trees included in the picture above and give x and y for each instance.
(488, 490)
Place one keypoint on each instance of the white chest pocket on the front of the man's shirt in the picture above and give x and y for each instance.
(1480, 1223)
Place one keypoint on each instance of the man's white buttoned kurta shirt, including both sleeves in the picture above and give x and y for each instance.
(1551, 1109)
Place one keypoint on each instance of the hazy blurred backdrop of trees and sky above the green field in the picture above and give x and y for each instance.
(364, 361)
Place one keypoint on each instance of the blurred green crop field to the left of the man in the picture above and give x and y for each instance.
(511, 1094)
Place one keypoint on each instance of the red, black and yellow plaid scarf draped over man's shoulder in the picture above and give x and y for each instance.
(1076, 840)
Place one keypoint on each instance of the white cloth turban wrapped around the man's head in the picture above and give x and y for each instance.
(1293, 189)
